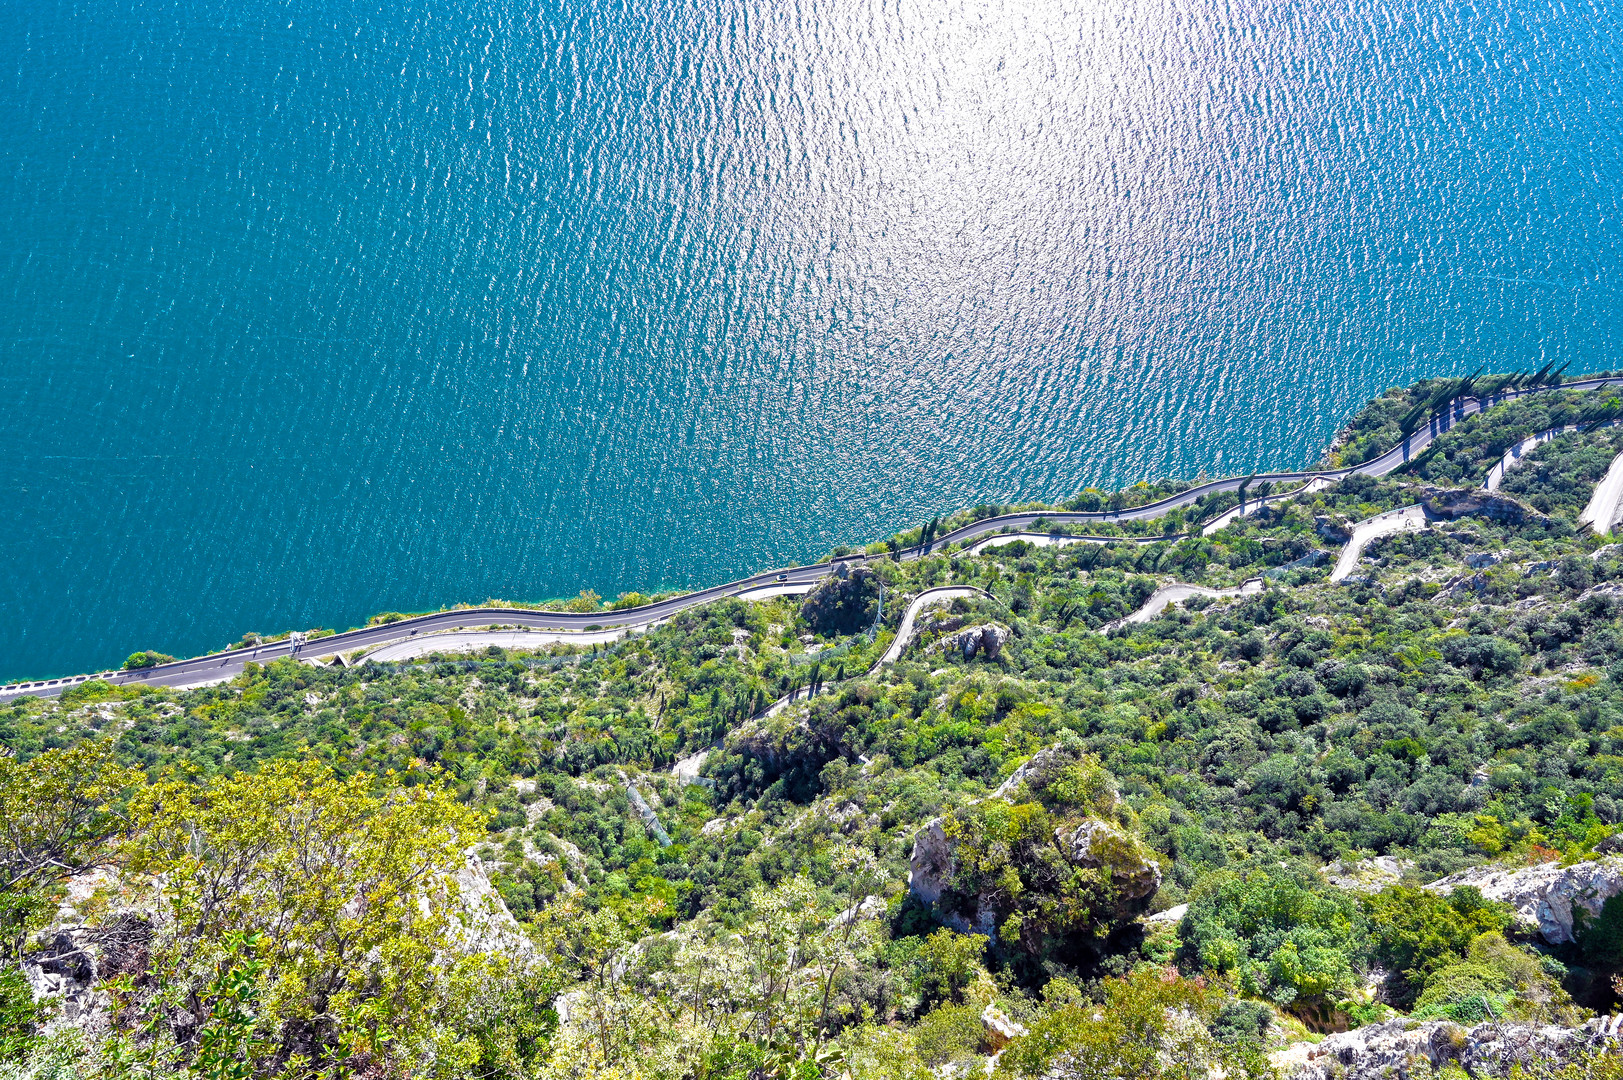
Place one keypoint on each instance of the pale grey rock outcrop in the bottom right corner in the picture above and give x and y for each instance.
(1403, 1048)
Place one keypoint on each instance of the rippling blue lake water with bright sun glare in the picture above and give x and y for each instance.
(317, 309)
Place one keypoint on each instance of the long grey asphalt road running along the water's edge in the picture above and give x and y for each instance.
(222, 667)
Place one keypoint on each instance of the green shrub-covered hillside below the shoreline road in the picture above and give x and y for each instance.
(614, 863)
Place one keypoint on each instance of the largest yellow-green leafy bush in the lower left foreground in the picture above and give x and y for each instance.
(345, 889)
